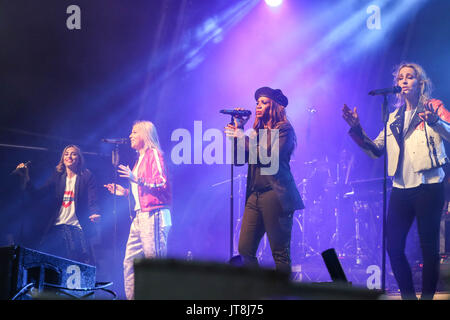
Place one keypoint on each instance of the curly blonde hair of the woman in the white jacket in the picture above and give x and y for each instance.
(425, 84)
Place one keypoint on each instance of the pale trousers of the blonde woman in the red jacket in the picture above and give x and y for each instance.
(147, 239)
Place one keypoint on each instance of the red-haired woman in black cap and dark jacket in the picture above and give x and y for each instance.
(271, 195)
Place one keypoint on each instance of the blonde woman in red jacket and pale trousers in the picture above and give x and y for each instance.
(150, 191)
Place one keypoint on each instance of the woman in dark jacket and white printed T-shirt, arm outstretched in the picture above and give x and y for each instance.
(68, 226)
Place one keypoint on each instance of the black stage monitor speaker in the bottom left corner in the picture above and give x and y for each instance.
(27, 274)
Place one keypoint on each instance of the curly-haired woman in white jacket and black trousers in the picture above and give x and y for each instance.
(416, 154)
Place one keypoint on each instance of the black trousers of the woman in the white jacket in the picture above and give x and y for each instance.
(424, 203)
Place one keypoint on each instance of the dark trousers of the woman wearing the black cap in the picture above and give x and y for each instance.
(263, 214)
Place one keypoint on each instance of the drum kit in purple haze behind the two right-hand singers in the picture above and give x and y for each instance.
(340, 214)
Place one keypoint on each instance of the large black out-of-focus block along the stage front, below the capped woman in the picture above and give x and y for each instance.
(170, 279)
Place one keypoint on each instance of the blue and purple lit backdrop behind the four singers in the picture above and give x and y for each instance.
(74, 72)
